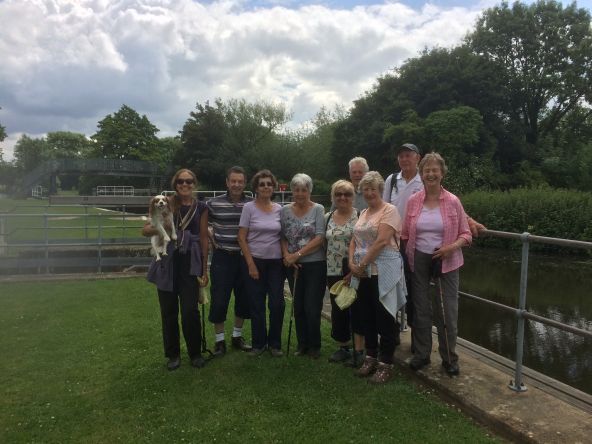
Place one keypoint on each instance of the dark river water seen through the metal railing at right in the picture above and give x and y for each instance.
(559, 288)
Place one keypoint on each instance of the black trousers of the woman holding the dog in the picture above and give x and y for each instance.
(185, 295)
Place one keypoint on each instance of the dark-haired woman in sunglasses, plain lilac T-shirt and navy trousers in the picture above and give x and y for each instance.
(259, 239)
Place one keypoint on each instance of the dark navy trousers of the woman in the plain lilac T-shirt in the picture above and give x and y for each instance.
(270, 285)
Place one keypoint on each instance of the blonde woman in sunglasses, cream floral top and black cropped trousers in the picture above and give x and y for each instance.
(339, 225)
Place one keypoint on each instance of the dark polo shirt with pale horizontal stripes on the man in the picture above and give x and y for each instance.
(223, 217)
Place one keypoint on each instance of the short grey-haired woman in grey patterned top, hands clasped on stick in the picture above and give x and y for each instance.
(303, 232)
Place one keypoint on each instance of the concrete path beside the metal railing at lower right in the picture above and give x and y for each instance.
(548, 412)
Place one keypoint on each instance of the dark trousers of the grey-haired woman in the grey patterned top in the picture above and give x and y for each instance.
(308, 302)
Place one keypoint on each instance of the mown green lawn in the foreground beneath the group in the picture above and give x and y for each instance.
(82, 362)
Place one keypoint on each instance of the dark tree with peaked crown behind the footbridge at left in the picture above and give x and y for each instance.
(127, 135)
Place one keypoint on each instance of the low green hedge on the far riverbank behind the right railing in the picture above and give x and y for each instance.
(541, 211)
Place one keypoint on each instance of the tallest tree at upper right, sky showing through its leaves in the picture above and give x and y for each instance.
(546, 54)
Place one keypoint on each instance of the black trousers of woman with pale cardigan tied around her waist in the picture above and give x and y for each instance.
(377, 321)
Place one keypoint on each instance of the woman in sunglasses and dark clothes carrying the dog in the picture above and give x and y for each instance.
(175, 276)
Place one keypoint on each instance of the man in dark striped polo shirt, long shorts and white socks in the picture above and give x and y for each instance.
(224, 213)
